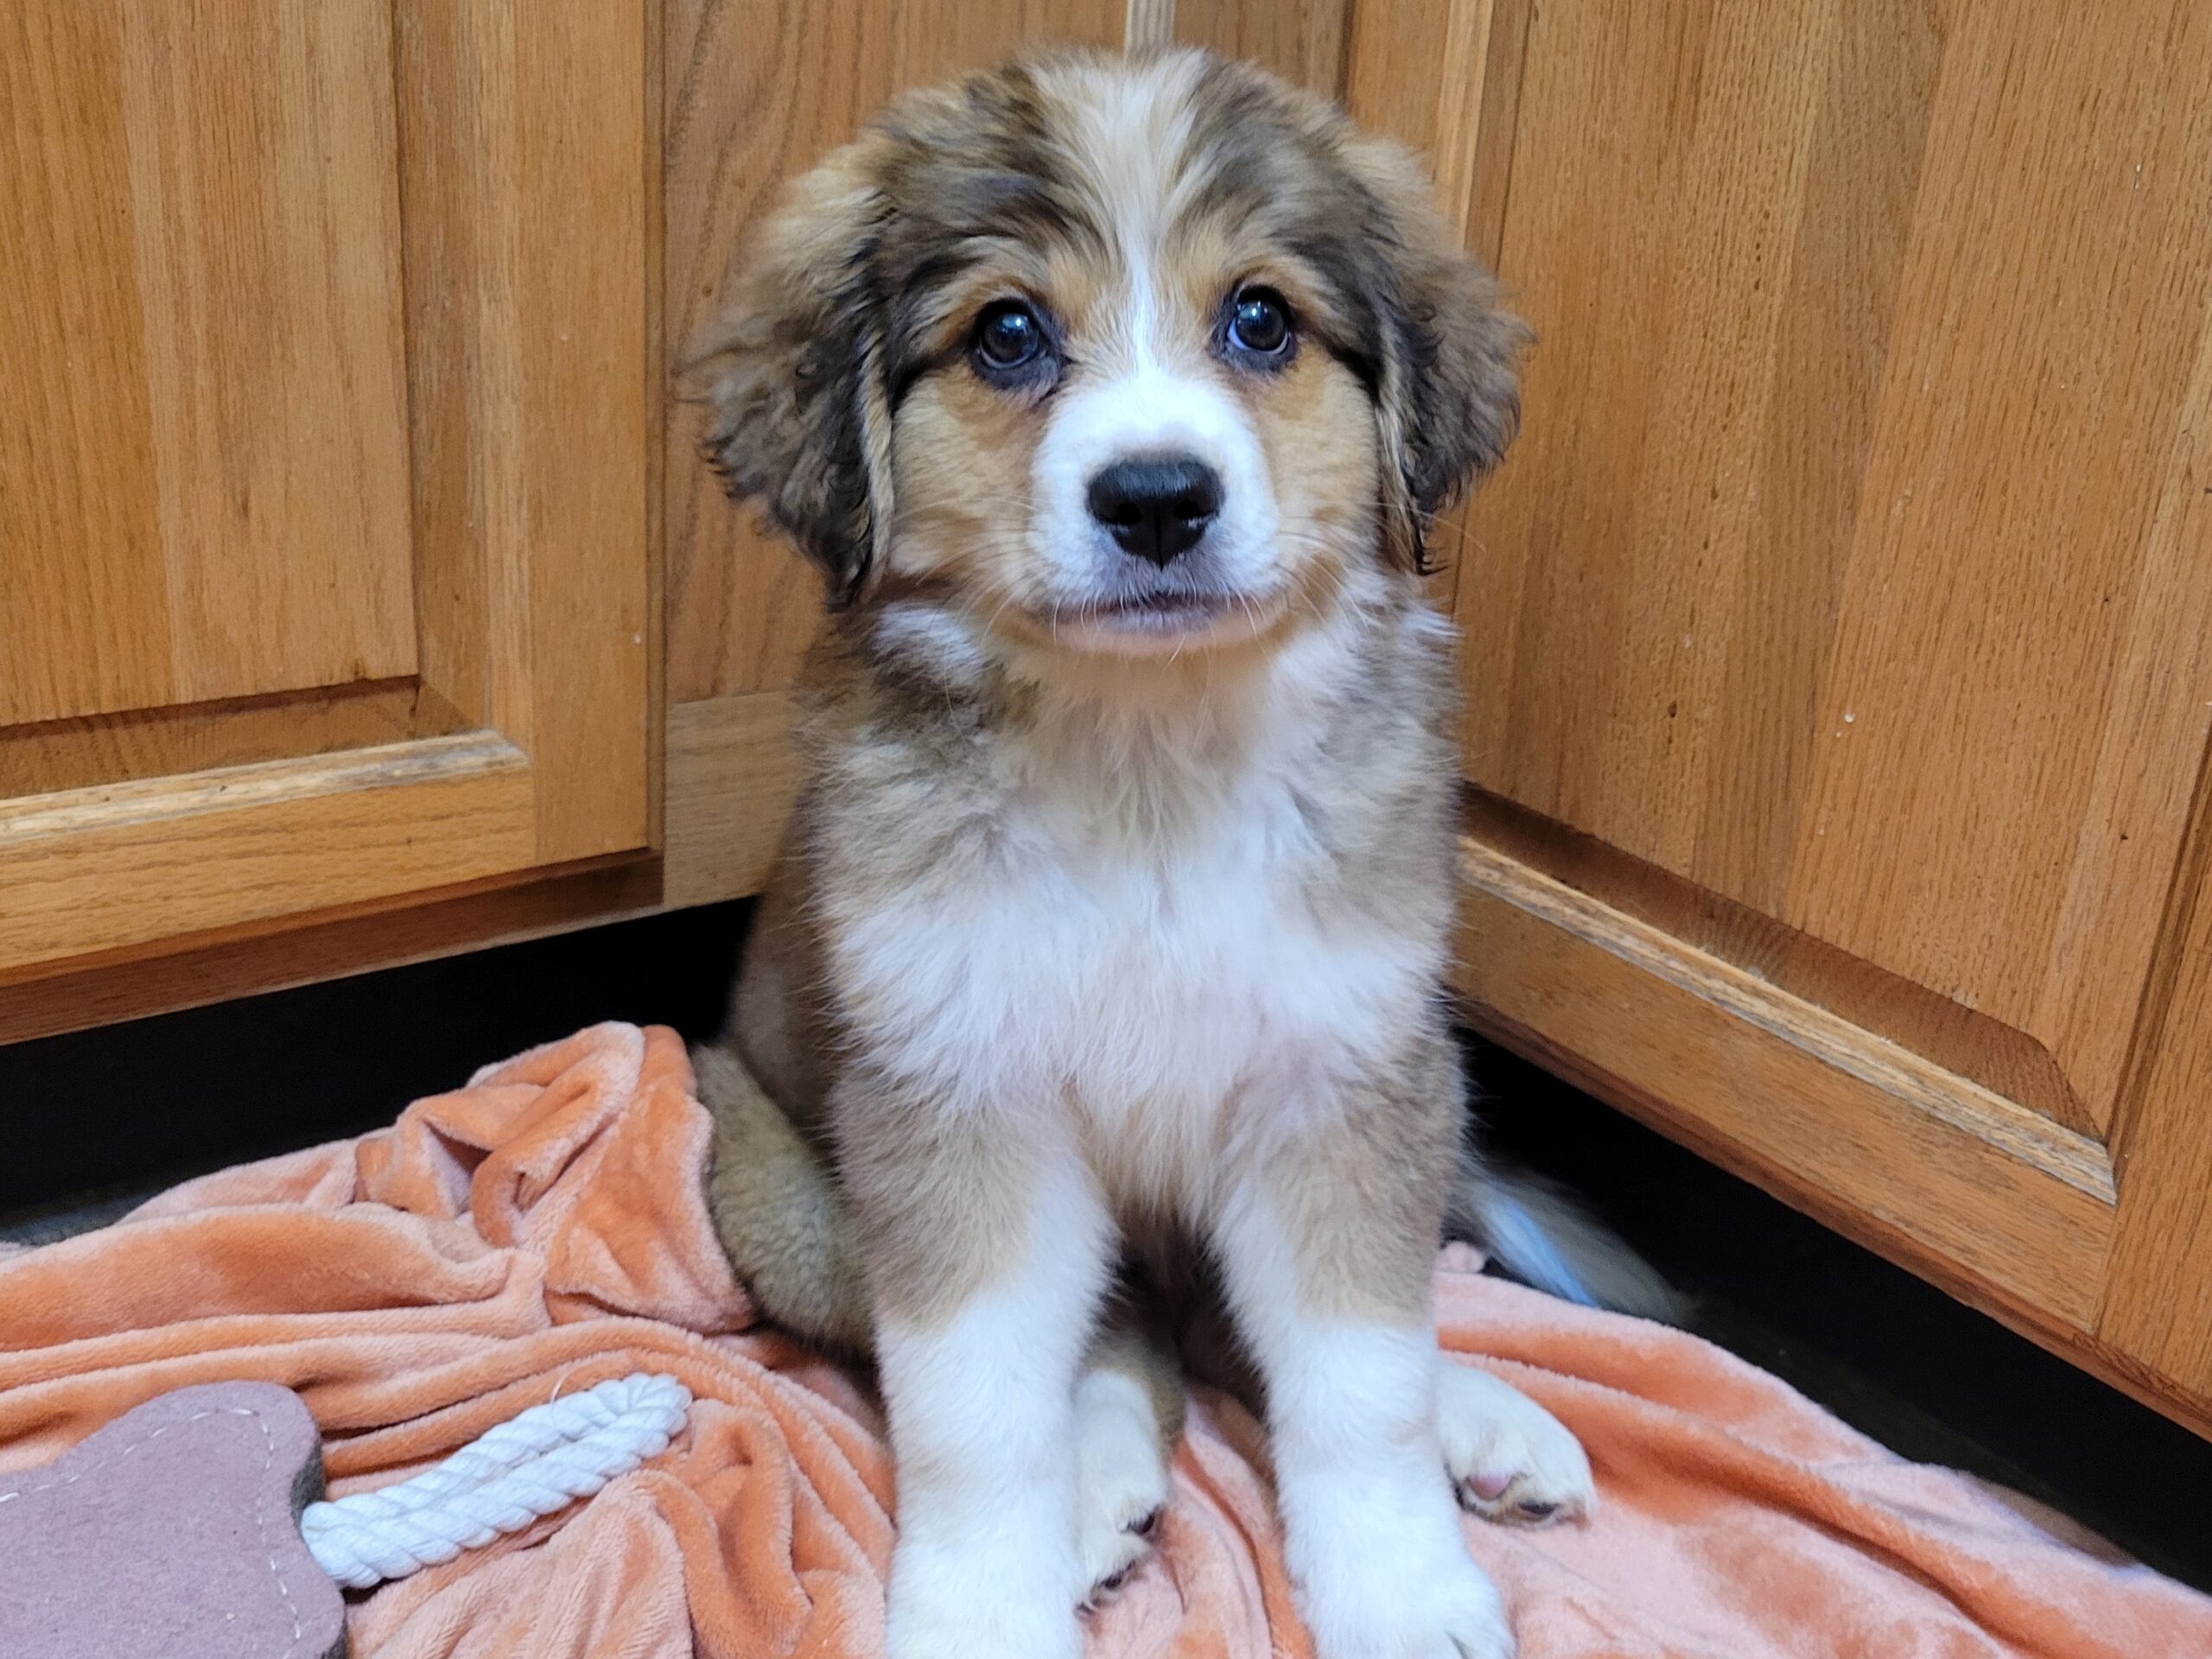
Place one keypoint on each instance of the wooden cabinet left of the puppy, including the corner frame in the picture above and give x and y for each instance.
(362, 596)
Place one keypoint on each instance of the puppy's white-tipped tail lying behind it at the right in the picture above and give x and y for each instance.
(1538, 1235)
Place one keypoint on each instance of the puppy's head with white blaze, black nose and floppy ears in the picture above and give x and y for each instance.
(1123, 357)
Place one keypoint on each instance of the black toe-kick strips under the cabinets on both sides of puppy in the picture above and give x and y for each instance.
(94, 1120)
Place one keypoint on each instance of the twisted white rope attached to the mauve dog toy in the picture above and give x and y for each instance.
(499, 1483)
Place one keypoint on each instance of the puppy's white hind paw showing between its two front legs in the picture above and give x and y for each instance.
(1129, 1415)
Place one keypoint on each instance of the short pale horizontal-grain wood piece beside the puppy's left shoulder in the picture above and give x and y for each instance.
(731, 786)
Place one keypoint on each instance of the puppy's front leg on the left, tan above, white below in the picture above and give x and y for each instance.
(988, 1249)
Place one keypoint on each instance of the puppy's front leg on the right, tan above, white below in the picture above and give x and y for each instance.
(1326, 1251)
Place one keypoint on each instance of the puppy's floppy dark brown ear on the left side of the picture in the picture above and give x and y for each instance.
(793, 375)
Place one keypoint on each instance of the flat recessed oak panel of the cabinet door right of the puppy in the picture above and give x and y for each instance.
(1841, 567)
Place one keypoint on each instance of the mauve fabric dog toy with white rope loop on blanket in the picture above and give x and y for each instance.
(194, 1525)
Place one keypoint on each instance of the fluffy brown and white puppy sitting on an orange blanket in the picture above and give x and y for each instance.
(1096, 1001)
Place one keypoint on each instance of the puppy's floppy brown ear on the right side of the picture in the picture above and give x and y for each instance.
(1450, 377)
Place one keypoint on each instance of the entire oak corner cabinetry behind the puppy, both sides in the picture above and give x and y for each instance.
(1839, 636)
